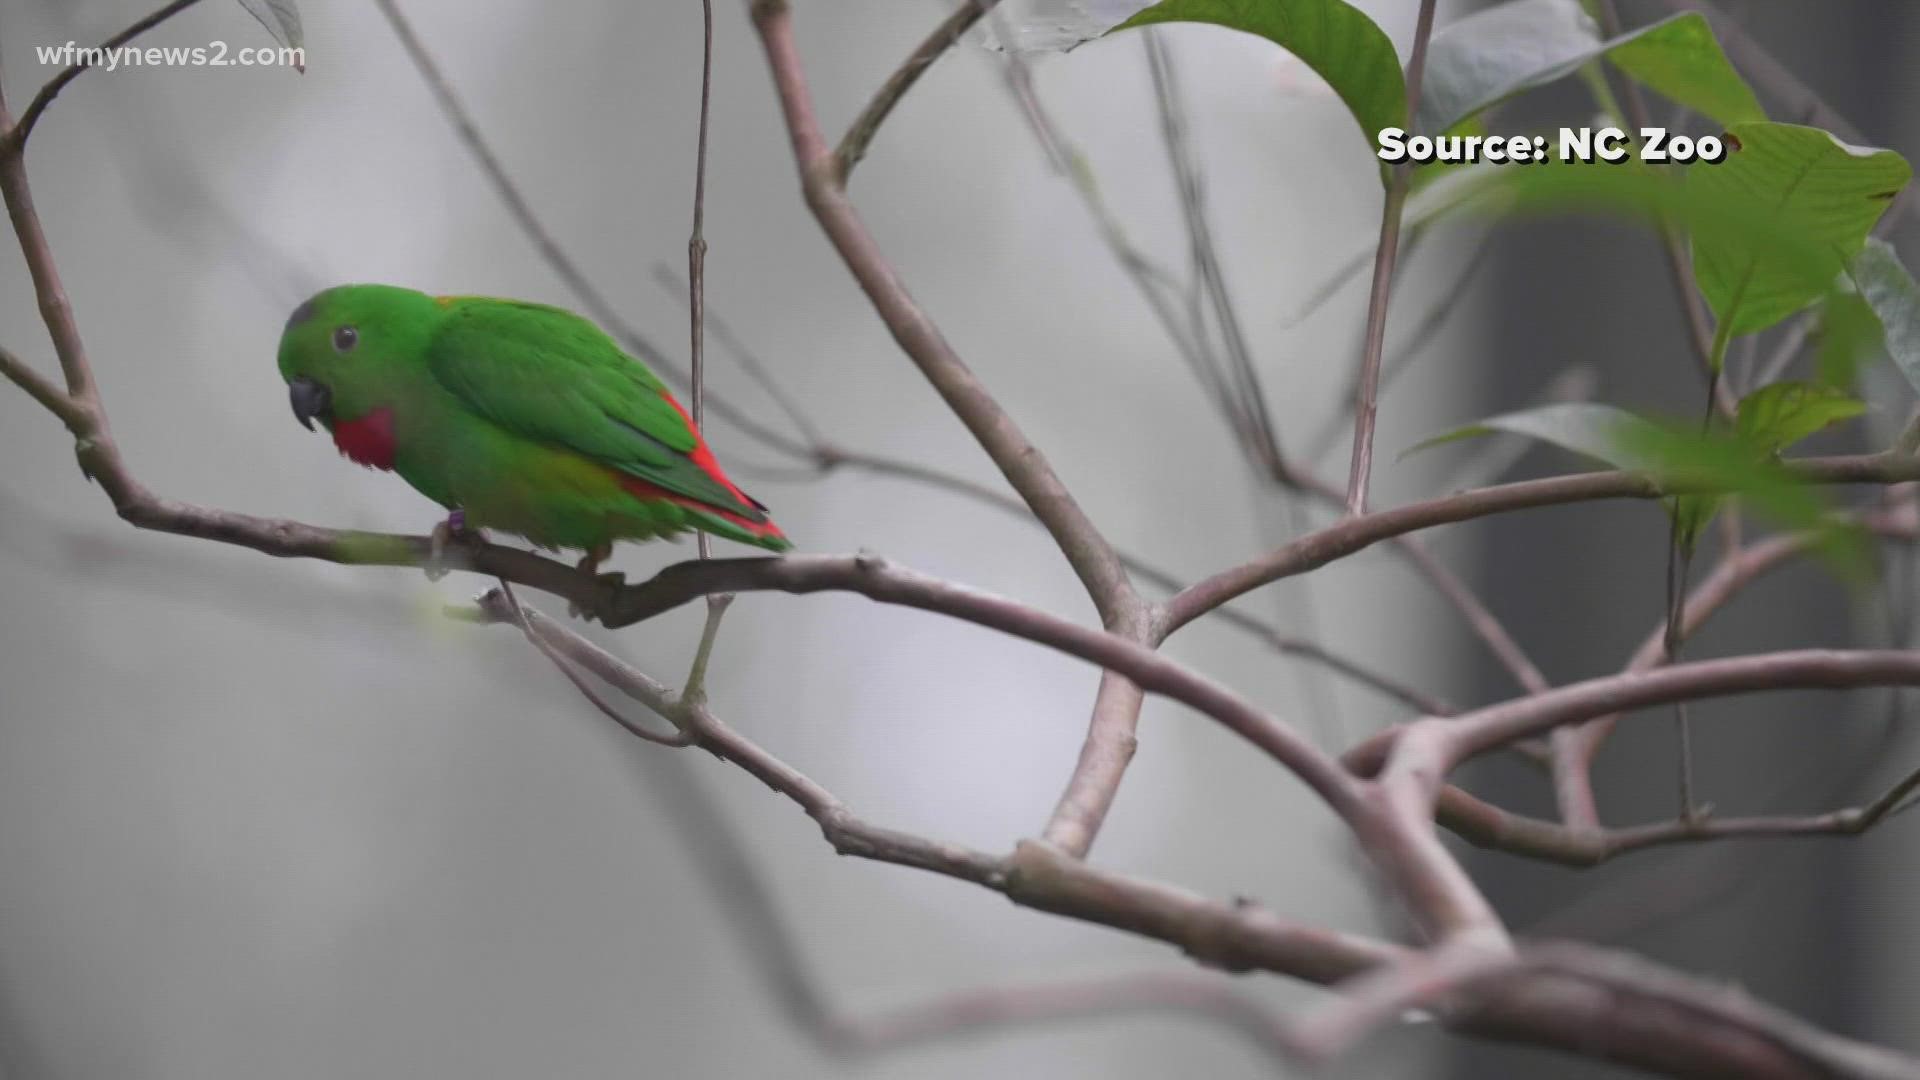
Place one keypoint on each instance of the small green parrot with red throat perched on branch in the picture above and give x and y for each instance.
(514, 416)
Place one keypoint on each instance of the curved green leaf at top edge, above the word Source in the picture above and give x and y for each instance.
(1335, 39)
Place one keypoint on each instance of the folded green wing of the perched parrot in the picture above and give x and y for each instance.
(550, 376)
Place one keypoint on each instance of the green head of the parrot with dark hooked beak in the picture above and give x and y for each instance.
(354, 351)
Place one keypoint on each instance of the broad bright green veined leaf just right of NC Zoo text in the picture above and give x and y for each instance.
(1819, 189)
